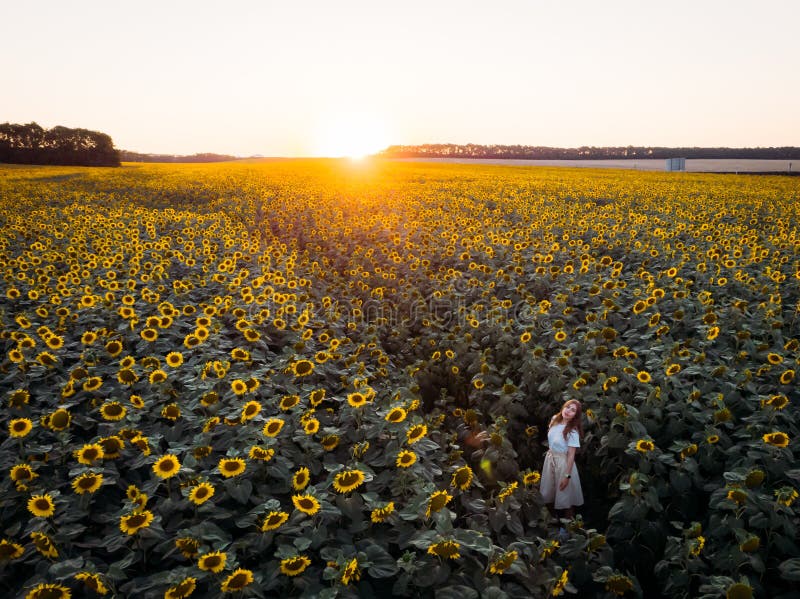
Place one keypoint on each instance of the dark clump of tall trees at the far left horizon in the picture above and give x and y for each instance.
(33, 144)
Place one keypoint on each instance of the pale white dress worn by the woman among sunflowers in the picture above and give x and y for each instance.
(555, 462)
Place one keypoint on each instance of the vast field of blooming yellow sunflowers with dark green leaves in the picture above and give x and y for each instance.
(246, 380)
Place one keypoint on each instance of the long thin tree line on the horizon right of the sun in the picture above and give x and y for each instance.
(520, 152)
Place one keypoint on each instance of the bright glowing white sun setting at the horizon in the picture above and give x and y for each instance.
(352, 136)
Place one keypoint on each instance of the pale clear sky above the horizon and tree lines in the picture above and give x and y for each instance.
(328, 77)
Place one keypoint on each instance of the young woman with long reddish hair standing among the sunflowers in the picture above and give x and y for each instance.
(560, 485)
